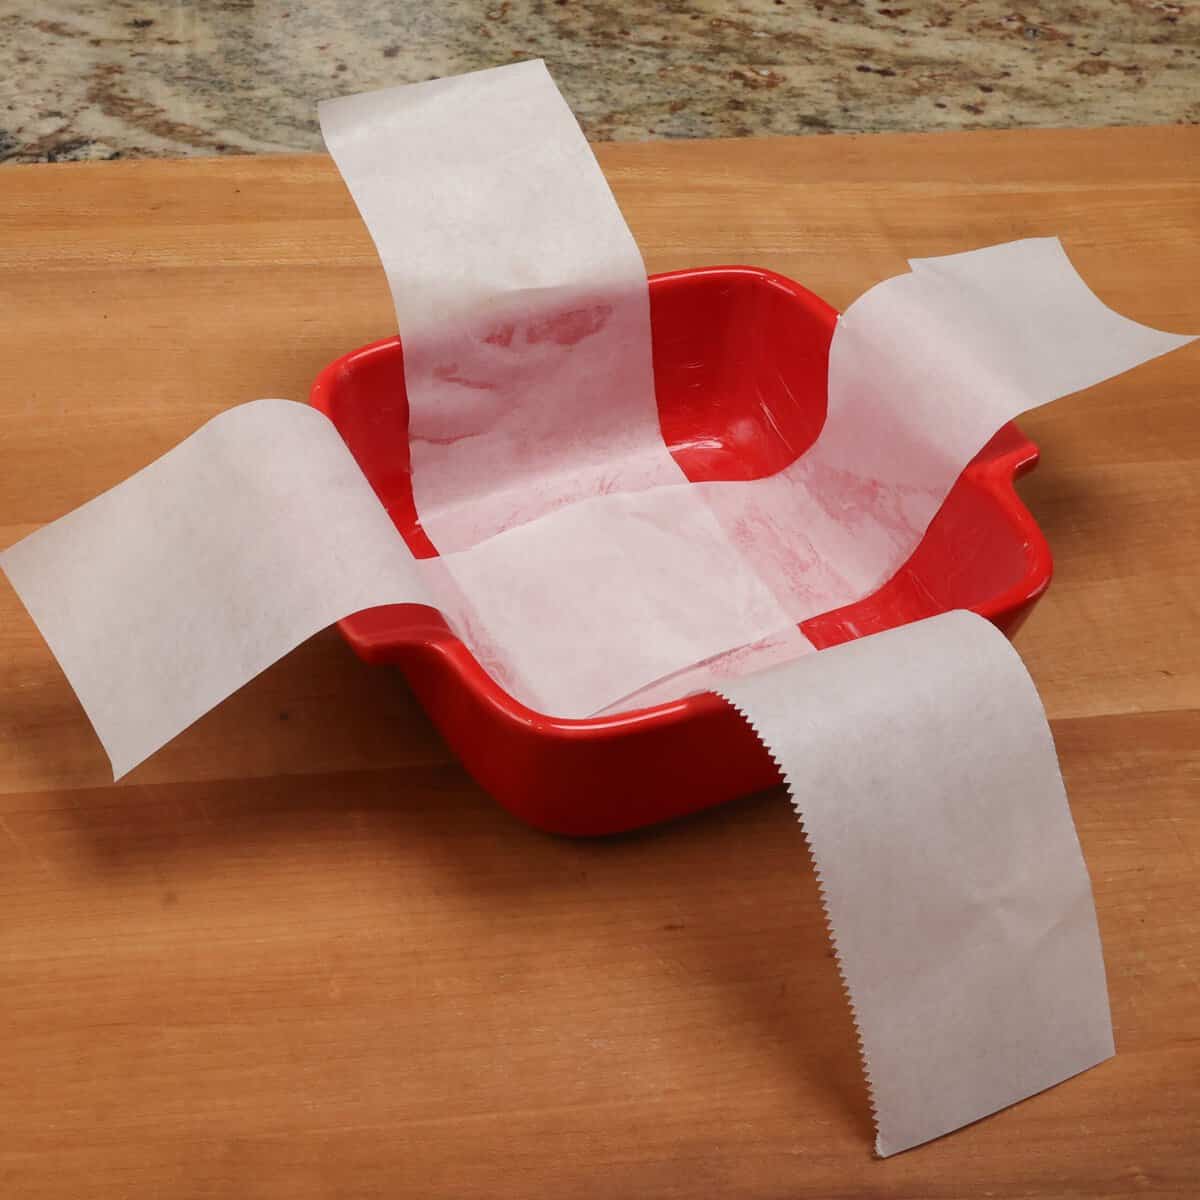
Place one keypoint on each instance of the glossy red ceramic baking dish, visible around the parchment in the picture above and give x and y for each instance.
(741, 359)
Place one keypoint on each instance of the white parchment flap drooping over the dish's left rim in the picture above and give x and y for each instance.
(169, 592)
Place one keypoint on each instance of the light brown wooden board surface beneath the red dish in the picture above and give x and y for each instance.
(298, 953)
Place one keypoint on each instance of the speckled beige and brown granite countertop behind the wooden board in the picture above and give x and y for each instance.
(115, 79)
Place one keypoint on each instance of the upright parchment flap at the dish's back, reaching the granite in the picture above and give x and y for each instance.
(520, 293)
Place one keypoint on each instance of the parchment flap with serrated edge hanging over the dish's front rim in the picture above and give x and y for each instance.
(922, 767)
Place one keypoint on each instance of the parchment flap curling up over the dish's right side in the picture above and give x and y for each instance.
(923, 370)
